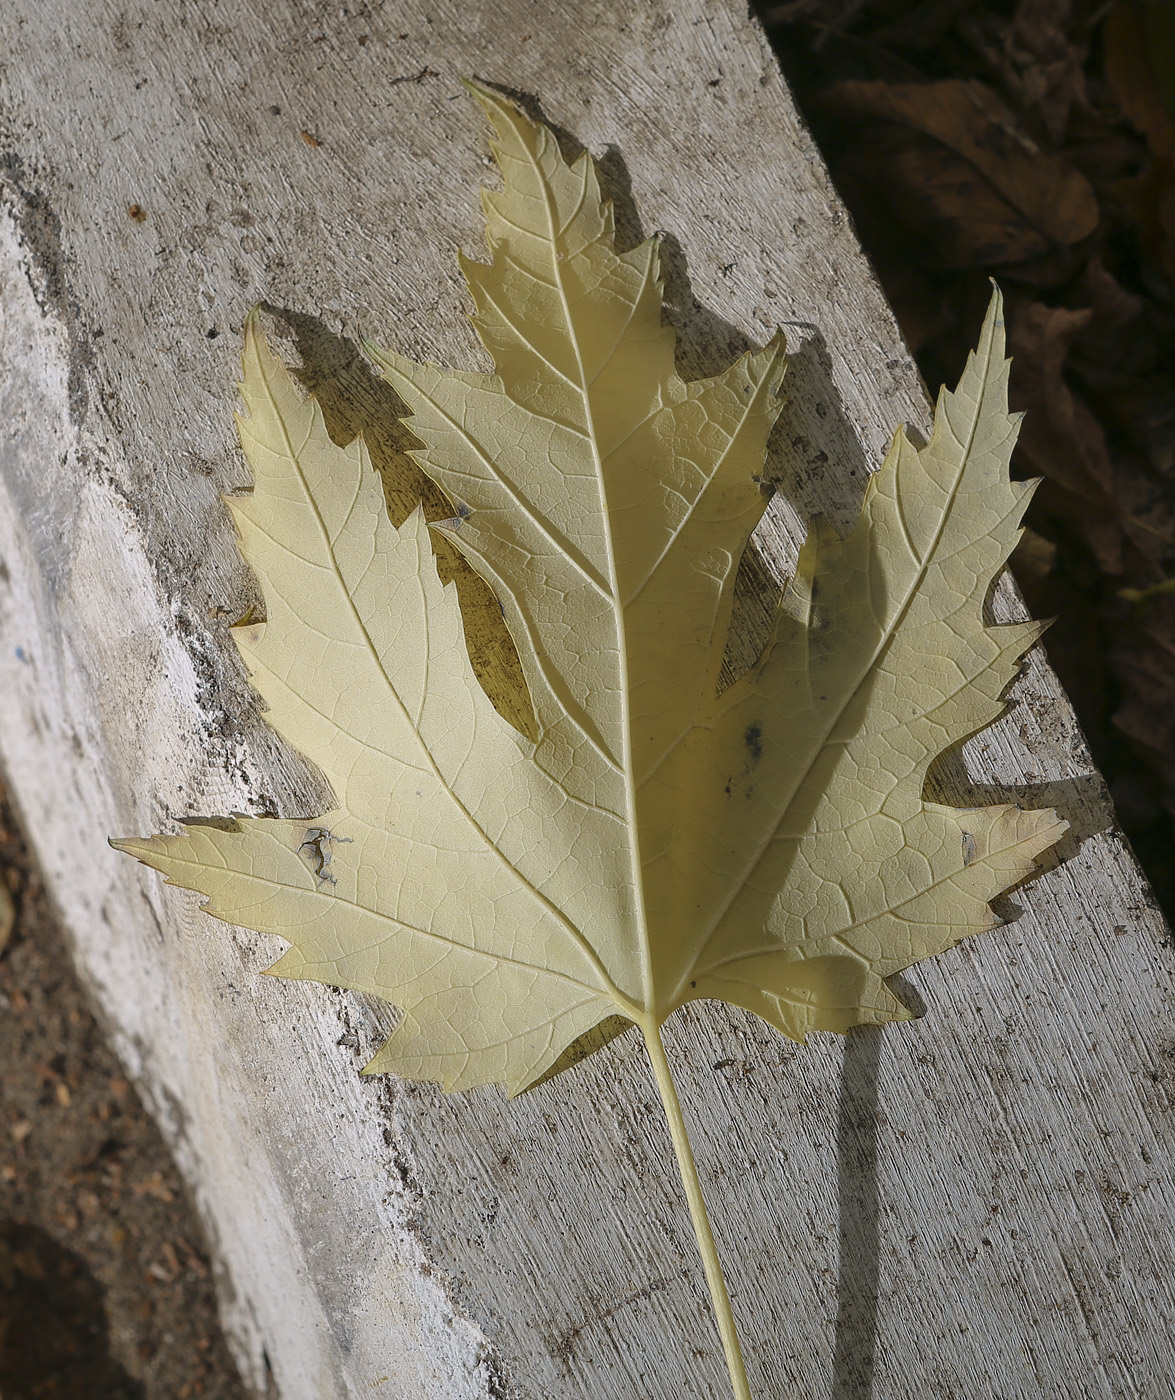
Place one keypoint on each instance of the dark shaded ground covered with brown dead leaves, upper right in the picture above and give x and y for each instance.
(1034, 142)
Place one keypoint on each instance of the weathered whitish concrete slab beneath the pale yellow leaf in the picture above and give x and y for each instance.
(975, 1206)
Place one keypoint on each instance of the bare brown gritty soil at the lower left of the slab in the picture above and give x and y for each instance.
(106, 1291)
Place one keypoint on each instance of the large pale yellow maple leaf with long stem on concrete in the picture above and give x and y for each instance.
(653, 841)
